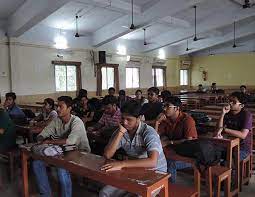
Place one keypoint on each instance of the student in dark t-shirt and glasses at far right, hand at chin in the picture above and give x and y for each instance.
(236, 121)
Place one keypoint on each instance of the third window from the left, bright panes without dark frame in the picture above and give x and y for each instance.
(132, 77)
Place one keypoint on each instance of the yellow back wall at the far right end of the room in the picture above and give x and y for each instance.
(228, 71)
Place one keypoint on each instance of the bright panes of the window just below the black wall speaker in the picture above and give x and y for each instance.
(107, 77)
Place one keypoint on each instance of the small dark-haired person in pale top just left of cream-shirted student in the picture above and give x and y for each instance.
(49, 112)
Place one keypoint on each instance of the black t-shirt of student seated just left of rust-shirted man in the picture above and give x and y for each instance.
(151, 110)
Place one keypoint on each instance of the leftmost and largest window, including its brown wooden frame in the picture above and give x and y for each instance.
(67, 76)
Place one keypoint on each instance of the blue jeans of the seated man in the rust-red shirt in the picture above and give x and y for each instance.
(173, 166)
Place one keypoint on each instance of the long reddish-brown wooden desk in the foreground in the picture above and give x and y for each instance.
(135, 180)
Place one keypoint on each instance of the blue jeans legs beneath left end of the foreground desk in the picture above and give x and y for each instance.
(41, 176)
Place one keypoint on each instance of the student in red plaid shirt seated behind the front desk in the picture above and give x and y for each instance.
(110, 118)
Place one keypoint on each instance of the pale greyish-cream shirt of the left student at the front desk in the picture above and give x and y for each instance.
(74, 131)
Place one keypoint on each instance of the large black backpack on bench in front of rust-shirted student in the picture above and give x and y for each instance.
(204, 151)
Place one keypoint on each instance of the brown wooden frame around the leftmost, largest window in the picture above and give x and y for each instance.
(78, 73)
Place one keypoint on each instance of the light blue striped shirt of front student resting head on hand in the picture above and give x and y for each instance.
(145, 140)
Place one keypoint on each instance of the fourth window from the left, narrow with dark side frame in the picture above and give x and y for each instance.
(158, 76)
